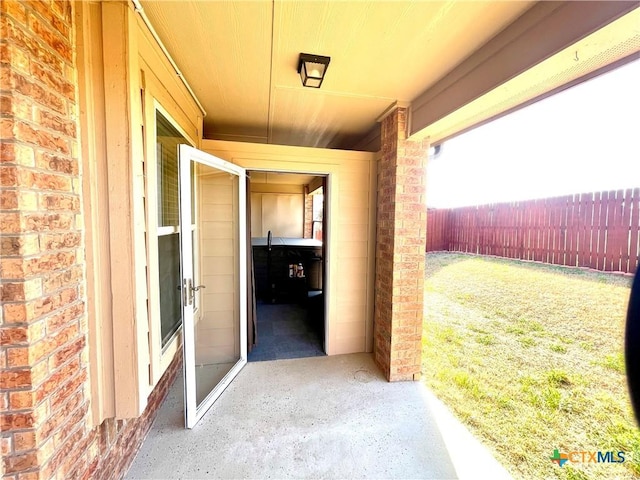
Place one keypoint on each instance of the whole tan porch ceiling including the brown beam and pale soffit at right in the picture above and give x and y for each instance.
(454, 64)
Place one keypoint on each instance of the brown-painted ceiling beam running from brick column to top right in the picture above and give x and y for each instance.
(542, 31)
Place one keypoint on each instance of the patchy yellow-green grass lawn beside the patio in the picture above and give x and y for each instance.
(530, 358)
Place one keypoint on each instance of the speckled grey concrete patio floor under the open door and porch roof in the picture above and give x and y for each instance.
(320, 417)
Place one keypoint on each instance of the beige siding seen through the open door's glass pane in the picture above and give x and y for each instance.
(217, 328)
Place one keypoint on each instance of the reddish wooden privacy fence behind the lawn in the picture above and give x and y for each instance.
(596, 230)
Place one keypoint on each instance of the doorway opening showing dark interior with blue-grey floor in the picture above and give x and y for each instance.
(287, 217)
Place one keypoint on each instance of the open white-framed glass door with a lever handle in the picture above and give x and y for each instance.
(214, 280)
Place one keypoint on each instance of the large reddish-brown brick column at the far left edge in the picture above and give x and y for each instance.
(43, 382)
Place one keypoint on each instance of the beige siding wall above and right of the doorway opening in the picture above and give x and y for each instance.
(349, 260)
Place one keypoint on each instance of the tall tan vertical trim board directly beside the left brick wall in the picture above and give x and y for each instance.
(95, 211)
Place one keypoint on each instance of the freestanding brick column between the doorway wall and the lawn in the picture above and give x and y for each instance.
(400, 251)
